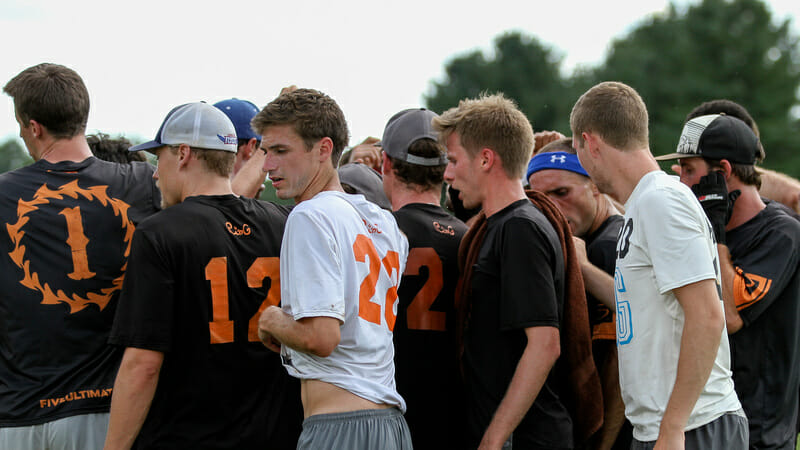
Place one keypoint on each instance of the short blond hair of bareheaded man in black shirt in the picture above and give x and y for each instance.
(494, 122)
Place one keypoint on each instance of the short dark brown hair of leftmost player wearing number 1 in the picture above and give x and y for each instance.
(52, 95)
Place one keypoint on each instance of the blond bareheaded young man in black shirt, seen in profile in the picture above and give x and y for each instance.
(514, 299)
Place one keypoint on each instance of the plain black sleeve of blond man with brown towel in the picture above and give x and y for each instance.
(528, 295)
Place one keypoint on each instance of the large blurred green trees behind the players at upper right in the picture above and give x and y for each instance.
(676, 60)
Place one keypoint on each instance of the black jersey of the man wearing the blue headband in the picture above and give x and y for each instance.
(601, 250)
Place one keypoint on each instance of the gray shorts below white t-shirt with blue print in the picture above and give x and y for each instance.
(729, 432)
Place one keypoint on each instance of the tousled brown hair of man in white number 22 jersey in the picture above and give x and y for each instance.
(313, 114)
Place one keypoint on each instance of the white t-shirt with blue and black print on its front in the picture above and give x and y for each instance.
(665, 243)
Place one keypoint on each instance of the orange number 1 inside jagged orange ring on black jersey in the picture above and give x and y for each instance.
(77, 241)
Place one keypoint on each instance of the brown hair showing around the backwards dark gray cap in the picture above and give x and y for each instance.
(420, 178)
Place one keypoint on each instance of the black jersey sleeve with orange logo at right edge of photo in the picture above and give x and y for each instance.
(764, 272)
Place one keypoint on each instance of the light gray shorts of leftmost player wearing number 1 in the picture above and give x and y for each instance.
(81, 432)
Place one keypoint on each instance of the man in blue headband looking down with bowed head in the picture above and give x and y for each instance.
(556, 171)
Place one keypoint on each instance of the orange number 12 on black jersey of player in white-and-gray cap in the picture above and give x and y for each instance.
(221, 327)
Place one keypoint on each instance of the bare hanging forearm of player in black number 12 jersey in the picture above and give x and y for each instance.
(133, 393)
